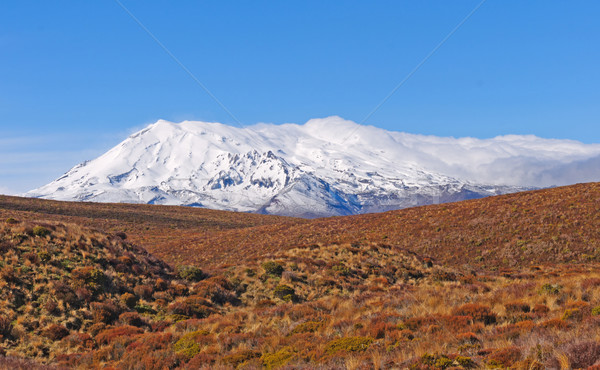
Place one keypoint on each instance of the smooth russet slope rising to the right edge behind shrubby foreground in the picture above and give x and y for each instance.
(551, 225)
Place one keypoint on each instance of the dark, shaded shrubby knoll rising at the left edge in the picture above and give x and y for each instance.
(64, 279)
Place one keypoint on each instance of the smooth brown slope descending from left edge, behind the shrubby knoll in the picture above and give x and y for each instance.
(170, 232)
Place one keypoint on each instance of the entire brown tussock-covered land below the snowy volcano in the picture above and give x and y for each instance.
(510, 281)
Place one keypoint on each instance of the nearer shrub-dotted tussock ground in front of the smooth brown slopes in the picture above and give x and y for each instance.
(78, 298)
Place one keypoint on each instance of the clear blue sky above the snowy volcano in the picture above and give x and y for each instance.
(76, 77)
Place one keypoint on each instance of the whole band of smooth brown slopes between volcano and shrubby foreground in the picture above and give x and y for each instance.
(549, 225)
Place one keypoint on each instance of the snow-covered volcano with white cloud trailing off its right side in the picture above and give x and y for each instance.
(325, 167)
